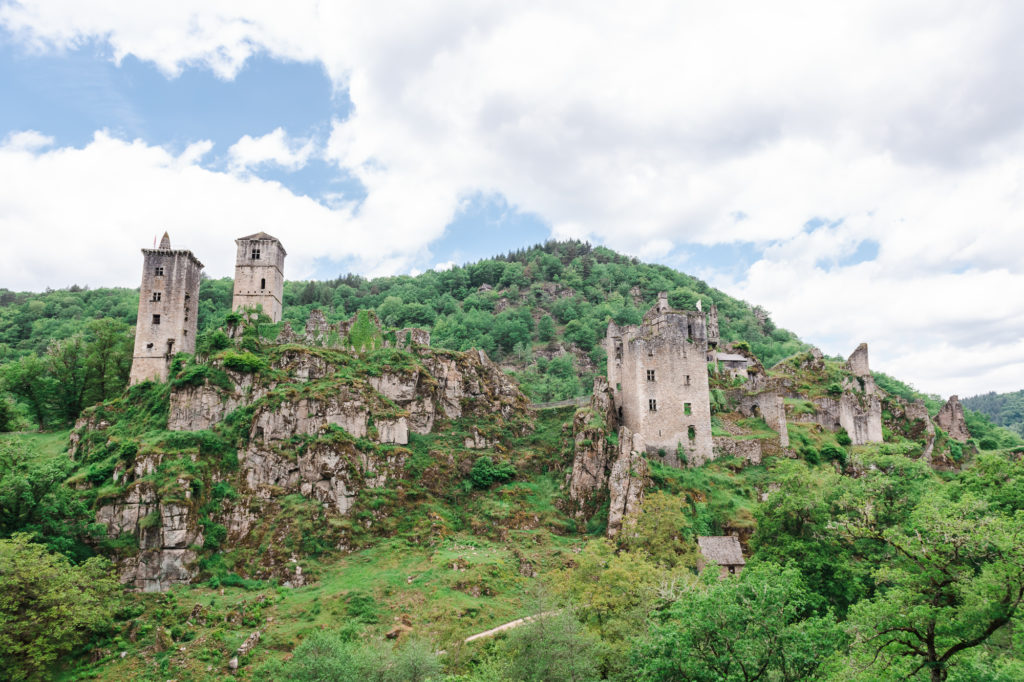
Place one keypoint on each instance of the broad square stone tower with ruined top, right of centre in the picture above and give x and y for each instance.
(659, 373)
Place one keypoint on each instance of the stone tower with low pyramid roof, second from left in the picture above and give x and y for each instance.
(260, 274)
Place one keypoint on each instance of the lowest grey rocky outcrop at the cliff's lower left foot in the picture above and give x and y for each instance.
(166, 532)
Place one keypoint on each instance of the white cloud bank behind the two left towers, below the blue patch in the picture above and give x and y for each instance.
(80, 216)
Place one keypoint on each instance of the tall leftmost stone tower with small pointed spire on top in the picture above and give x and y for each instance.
(168, 301)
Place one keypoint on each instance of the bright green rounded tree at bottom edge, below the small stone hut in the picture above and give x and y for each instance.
(756, 626)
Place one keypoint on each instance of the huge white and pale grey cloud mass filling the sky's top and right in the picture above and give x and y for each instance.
(652, 125)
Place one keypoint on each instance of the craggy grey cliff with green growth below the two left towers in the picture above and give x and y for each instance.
(318, 422)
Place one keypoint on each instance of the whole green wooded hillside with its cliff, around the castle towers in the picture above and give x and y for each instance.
(306, 536)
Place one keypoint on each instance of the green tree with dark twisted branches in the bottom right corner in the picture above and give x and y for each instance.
(954, 578)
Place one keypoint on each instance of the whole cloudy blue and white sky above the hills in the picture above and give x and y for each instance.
(855, 168)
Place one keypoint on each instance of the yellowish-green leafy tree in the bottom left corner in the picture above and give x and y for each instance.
(49, 607)
